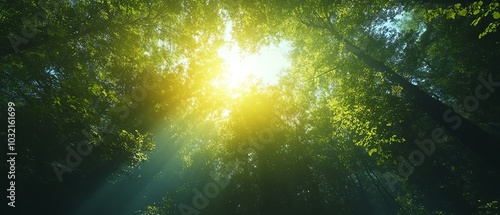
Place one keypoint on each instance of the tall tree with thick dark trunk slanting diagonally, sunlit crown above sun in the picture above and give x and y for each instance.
(329, 16)
